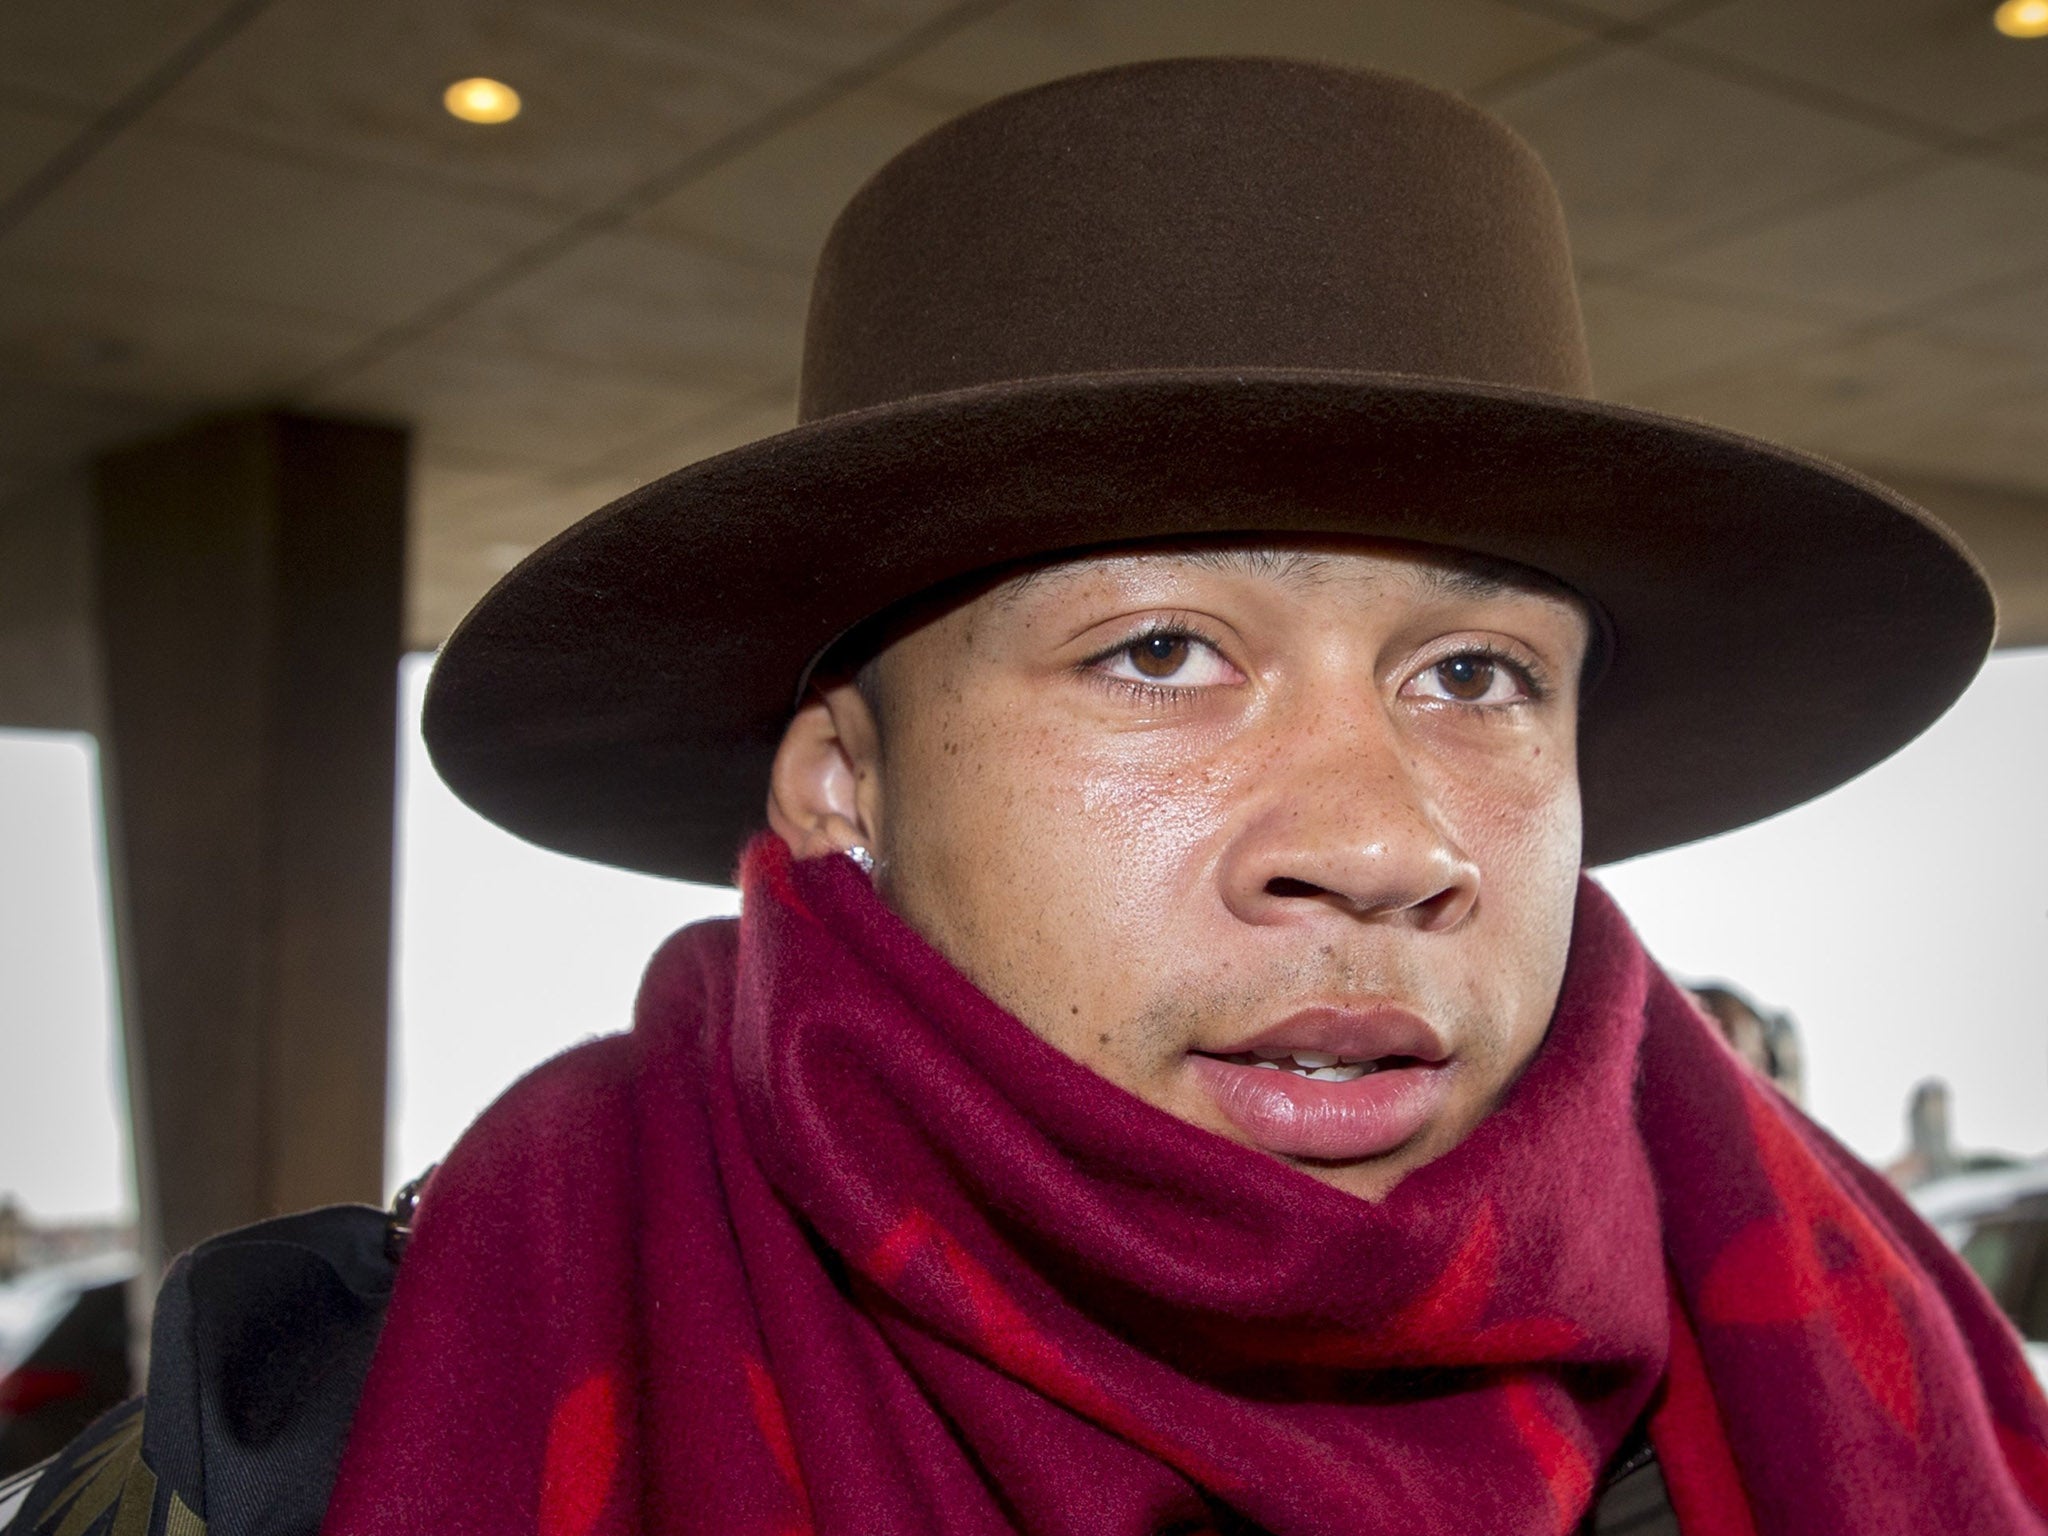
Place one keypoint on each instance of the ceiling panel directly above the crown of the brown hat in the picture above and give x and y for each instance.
(1457, 44)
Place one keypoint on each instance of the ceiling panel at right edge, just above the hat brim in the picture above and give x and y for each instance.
(1854, 400)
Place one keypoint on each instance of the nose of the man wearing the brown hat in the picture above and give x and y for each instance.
(1347, 820)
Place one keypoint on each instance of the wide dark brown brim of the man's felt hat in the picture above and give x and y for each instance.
(1779, 624)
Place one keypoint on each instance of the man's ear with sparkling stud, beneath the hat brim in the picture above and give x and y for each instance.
(826, 790)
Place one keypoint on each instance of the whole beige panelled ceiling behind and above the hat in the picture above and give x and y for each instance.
(1816, 220)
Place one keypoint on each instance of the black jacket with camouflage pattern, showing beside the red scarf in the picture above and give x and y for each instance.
(257, 1363)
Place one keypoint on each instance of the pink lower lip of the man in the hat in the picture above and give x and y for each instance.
(1299, 1117)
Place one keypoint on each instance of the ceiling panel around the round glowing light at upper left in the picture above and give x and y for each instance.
(613, 93)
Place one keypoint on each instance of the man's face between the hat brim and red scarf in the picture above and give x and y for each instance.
(1218, 820)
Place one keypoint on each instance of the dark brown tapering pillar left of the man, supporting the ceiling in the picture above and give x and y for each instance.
(251, 585)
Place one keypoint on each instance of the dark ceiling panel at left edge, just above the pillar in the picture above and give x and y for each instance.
(134, 337)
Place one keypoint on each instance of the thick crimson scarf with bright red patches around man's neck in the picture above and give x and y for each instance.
(833, 1244)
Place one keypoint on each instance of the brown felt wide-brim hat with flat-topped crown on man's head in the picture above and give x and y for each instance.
(1207, 298)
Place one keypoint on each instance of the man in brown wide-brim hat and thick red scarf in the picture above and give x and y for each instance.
(1170, 1074)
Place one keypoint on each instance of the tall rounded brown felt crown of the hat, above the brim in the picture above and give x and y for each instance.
(1199, 214)
